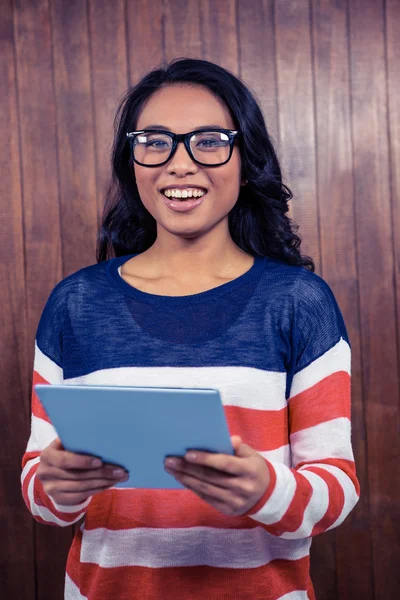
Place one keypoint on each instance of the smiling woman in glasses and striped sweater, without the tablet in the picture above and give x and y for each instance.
(207, 288)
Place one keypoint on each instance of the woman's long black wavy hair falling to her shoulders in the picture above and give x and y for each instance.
(258, 222)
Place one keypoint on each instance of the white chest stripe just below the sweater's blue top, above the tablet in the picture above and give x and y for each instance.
(239, 386)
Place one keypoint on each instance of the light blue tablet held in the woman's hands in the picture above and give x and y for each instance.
(137, 427)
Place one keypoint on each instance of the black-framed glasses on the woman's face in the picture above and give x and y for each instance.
(155, 147)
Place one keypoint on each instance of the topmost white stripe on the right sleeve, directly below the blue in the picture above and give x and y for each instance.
(336, 359)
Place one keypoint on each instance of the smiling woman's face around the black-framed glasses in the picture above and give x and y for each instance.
(181, 109)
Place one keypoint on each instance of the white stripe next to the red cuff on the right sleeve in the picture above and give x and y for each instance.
(282, 495)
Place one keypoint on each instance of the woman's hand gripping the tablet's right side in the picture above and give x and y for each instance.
(231, 484)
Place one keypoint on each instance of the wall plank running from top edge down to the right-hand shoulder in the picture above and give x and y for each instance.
(296, 117)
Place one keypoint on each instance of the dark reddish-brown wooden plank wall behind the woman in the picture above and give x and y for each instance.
(327, 75)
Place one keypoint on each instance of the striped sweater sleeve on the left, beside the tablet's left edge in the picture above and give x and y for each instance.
(47, 369)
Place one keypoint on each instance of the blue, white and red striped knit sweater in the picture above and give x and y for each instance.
(274, 344)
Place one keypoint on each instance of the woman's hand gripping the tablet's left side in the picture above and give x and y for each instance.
(71, 478)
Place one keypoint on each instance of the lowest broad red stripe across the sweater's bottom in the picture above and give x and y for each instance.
(269, 582)
